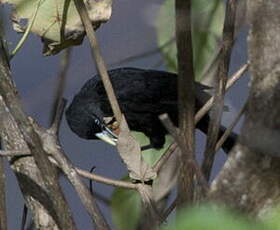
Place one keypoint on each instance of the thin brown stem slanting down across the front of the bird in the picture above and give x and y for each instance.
(95, 50)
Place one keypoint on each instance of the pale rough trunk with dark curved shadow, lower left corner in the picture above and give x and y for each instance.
(27, 173)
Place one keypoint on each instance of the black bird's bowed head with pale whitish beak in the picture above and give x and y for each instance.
(87, 121)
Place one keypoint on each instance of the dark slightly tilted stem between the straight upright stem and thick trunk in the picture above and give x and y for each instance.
(220, 86)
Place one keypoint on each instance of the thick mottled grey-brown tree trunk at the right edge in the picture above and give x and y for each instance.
(250, 179)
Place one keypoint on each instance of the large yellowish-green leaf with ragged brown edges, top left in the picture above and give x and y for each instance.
(58, 22)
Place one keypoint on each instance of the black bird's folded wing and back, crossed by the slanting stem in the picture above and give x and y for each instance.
(140, 91)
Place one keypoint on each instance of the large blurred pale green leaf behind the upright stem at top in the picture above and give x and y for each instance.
(207, 24)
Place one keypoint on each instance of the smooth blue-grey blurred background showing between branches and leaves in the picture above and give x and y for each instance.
(130, 31)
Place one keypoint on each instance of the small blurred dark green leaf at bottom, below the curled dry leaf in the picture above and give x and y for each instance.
(126, 209)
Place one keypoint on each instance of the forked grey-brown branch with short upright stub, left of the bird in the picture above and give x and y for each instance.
(46, 141)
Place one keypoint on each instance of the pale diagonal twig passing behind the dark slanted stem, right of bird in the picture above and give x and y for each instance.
(233, 79)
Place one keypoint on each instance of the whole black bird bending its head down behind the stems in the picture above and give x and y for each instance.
(143, 95)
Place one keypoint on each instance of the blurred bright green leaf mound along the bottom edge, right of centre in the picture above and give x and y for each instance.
(211, 218)
